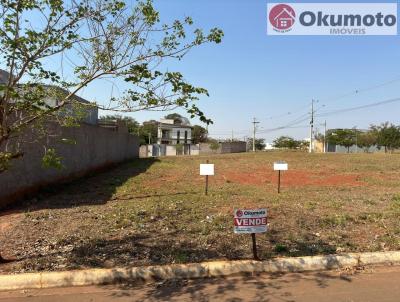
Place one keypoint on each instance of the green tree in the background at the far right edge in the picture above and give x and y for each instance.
(387, 136)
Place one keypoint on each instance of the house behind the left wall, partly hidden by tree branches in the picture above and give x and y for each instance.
(85, 110)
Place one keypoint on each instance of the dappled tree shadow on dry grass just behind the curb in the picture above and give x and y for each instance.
(139, 249)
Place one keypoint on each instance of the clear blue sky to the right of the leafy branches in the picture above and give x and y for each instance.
(251, 74)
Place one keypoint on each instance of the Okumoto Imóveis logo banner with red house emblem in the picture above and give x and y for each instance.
(332, 18)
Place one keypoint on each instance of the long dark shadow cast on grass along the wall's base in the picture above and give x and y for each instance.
(95, 188)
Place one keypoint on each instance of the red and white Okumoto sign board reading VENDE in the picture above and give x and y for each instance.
(250, 221)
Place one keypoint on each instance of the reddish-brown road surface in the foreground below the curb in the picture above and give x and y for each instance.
(372, 284)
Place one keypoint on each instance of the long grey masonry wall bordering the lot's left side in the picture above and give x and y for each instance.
(83, 149)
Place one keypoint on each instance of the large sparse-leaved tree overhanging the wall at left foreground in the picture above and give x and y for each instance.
(104, 39)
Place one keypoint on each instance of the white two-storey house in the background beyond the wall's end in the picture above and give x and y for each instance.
(174, 131)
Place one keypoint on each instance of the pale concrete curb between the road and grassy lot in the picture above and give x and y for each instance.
(193, 270)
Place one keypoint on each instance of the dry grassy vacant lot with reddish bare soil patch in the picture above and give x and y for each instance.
(154, 211)
